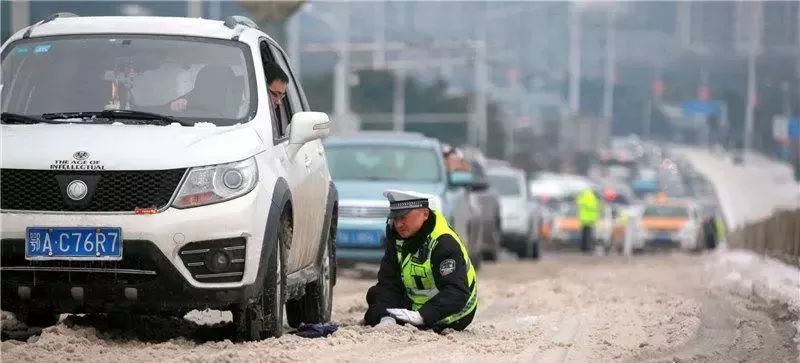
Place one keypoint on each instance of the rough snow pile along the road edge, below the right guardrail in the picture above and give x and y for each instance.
(751, 275)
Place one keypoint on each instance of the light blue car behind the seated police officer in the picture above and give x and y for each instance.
(365, 164)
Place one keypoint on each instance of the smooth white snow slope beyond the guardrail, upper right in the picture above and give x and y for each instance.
(748, 192)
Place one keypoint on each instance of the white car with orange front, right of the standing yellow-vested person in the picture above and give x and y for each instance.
(666, 222)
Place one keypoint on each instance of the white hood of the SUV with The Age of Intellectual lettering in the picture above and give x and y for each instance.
(124, 147)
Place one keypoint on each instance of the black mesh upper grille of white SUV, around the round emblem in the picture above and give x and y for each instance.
(109, 191)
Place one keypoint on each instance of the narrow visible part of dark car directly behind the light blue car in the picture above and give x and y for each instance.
(486, 202)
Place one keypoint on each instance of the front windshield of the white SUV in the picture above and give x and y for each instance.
(73, 74)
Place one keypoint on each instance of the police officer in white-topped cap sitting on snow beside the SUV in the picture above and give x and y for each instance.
(426, 277)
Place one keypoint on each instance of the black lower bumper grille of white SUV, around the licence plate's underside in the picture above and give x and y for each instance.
(138, 265)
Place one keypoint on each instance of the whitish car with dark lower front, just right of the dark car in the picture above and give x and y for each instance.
(520, 220)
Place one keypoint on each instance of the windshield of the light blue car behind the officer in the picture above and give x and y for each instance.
(390, 163)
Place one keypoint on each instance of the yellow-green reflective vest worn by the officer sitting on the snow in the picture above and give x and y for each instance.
(417, 272)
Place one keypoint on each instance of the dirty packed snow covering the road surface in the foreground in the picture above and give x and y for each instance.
(562, 309)
